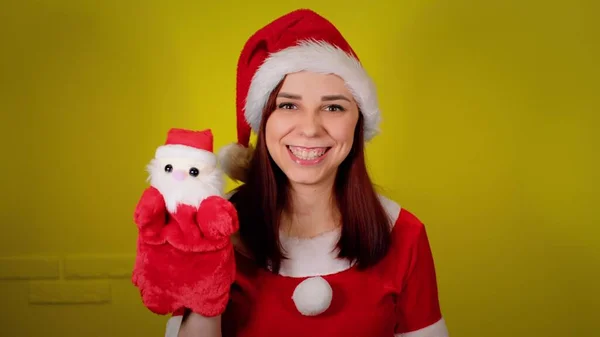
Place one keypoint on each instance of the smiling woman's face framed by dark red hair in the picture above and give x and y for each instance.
(311, 130)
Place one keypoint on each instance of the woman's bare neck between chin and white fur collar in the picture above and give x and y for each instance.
(311, 212)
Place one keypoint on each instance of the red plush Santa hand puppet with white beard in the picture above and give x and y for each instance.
(184, 253)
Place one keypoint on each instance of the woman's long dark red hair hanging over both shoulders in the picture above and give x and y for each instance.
(261, 200)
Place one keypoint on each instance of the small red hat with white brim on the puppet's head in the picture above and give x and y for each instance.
(182, 143)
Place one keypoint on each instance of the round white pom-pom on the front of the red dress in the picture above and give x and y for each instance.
(312, 296)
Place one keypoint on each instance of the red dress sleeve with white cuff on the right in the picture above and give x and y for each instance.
(417, 307)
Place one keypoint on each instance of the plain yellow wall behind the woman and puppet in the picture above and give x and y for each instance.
(490, 112)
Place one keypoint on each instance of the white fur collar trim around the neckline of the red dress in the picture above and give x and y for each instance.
(317, 256)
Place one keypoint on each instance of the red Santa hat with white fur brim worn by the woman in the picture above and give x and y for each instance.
(298, 41)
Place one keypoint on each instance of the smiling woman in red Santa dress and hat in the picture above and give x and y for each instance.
(319, 252)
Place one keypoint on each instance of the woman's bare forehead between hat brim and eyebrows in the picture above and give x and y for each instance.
(310, 83)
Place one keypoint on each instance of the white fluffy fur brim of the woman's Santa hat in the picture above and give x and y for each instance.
(315, 56)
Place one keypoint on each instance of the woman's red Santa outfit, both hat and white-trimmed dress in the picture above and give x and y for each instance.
(315, 293)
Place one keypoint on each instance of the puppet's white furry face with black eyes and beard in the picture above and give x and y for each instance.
(185, 181)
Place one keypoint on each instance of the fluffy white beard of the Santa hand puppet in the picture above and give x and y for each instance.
(191, 191)
